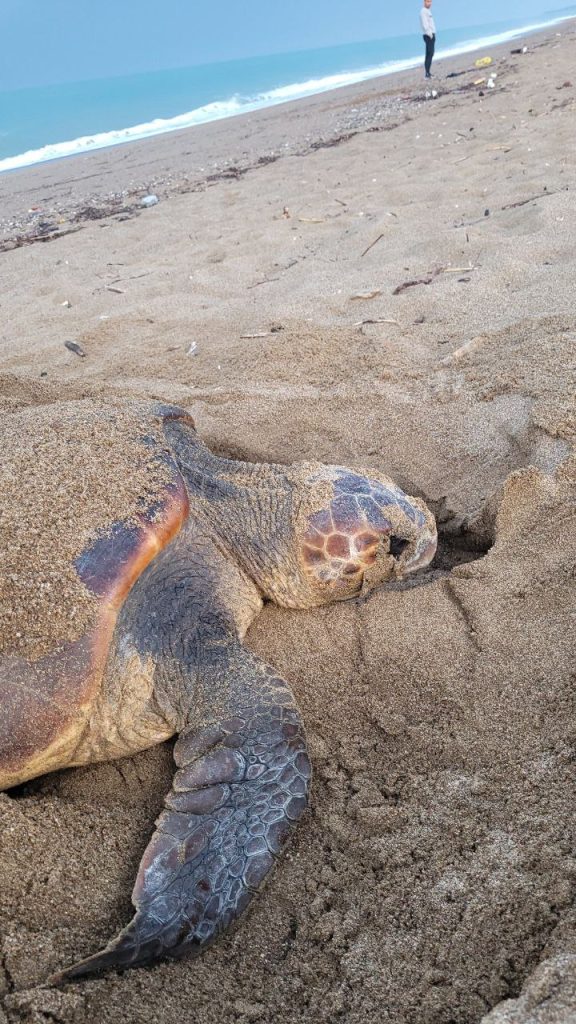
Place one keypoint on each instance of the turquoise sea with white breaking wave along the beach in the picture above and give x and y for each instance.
(52, 122)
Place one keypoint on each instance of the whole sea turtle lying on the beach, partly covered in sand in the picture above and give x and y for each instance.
(157, 601)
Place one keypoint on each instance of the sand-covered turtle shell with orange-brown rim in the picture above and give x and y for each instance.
(90, 494)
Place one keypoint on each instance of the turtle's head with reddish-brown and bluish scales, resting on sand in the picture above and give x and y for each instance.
(354, 532)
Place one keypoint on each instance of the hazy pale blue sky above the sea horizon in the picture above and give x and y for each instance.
(53, 41)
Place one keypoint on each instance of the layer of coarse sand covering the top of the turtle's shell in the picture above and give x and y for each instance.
(68, 474)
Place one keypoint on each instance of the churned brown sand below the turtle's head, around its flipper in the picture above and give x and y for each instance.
(438, 855)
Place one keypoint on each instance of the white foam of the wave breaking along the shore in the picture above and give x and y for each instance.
(240, 105)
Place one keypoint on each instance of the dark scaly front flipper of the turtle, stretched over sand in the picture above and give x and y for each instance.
(242, 783)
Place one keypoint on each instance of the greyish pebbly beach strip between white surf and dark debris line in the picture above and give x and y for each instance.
(51, 199)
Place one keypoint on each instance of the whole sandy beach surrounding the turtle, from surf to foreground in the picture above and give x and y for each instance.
(265, 293)
